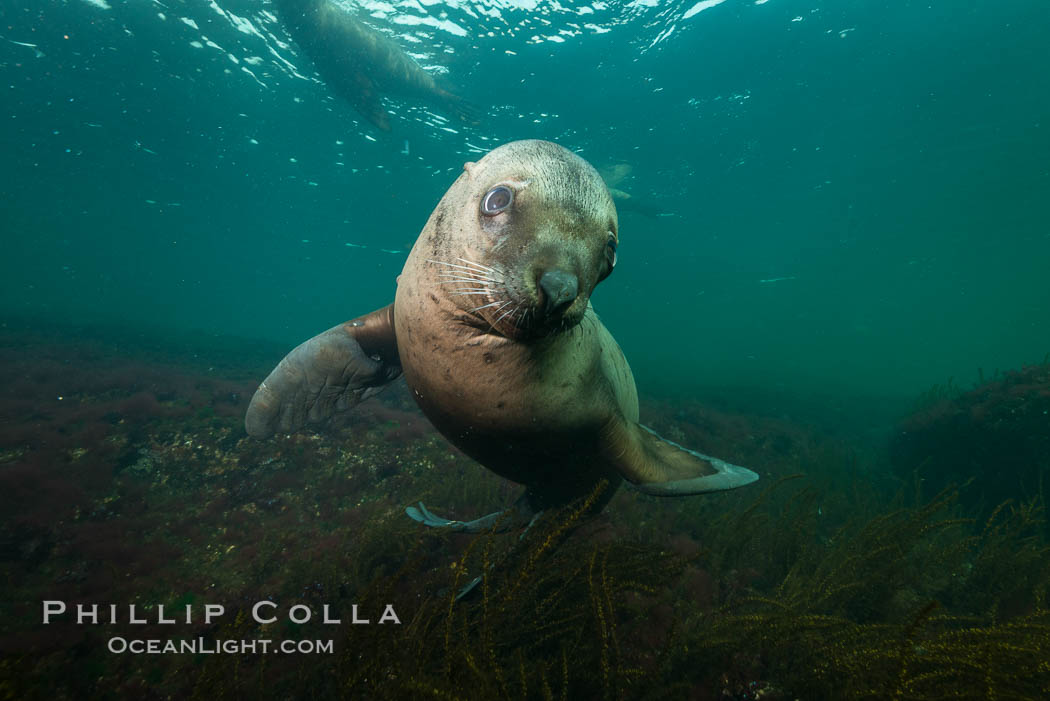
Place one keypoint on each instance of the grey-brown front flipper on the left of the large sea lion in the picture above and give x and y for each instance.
(329, 374)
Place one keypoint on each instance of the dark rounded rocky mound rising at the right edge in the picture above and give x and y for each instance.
(997, 435)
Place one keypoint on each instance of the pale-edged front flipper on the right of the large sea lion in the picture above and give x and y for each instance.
(657, 466)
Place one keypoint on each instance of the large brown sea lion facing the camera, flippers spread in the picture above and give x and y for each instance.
(493, 328)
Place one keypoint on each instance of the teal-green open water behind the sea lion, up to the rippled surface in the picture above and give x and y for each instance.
(884, 166)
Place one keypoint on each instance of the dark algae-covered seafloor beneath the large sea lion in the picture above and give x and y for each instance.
(140, 487)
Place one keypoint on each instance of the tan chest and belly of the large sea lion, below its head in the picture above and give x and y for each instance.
(478, 400)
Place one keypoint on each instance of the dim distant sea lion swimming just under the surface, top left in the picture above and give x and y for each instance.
(362, 65)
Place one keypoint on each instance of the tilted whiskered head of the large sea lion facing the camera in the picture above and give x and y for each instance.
(523, 238)
